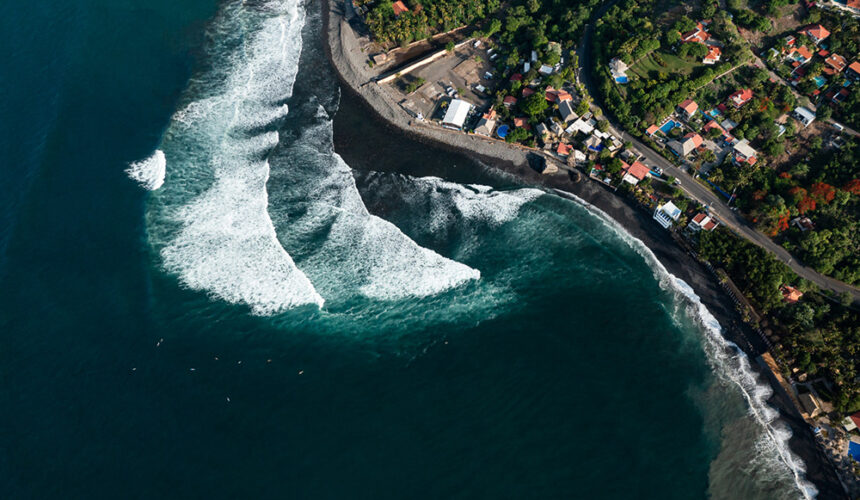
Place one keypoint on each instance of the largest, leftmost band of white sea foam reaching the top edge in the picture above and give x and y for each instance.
(212, 224)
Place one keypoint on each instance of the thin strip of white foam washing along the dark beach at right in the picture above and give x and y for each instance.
(731, 365)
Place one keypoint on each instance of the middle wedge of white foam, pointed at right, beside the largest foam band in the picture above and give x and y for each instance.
(360, 253)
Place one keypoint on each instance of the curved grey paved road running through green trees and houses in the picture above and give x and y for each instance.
(697, 191)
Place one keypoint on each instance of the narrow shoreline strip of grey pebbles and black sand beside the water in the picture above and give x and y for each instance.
(341, 46)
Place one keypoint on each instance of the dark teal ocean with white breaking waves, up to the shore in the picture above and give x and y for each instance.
(202, 296)
